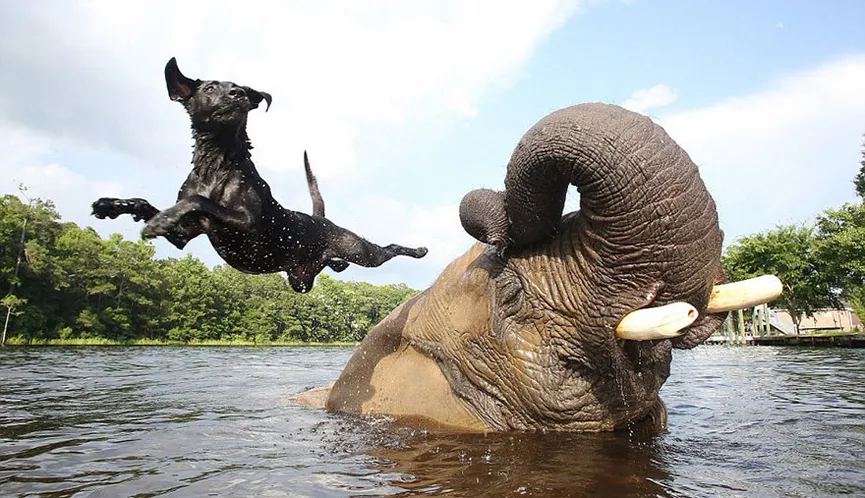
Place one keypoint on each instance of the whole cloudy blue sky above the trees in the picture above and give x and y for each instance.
(406, 106)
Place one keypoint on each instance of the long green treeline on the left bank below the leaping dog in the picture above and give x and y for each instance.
(61, 281)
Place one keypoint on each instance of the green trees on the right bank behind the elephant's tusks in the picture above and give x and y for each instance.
(821, 263)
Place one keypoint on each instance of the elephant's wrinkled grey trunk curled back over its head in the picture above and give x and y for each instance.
(643, 206)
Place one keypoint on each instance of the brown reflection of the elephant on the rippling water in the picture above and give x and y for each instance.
(528, 465)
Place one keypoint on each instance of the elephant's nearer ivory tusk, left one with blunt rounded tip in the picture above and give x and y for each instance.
(663, 322)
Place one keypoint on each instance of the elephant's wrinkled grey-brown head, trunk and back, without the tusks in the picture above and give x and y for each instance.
(520, 334)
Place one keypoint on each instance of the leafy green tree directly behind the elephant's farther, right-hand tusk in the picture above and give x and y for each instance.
(789, 252)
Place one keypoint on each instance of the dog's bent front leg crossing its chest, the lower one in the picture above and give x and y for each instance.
(166, 220)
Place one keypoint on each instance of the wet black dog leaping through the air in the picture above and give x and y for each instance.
(225, 197)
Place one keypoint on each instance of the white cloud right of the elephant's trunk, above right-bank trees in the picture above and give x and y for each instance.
(783, 154)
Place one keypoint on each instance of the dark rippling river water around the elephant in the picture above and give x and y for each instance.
(183, 421)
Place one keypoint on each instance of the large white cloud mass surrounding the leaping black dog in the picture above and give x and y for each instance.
(87, 76)
